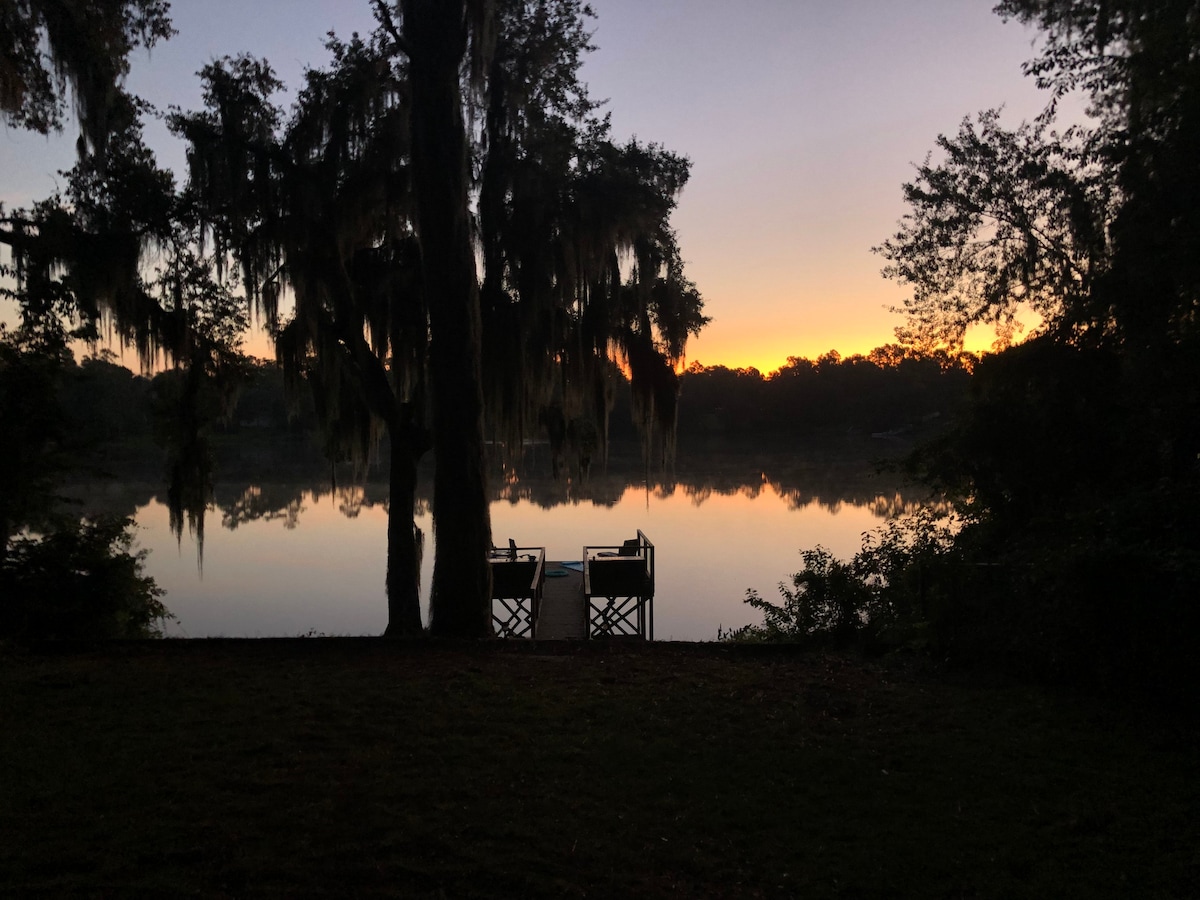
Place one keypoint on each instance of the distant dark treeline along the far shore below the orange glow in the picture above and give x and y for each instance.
(117, 416)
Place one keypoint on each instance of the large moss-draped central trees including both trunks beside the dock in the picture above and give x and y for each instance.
(361, 206)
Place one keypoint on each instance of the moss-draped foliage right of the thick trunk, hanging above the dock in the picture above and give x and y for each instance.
(561, 205)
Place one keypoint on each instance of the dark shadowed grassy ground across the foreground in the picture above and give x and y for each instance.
(359, 767)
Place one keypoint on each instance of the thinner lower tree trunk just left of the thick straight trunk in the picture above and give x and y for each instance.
(404, 544)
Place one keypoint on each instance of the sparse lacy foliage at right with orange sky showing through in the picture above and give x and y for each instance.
(1007, 223)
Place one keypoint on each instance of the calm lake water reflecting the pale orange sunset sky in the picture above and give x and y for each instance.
(290, 560)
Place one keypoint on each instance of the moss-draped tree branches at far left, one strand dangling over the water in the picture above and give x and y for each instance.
(79, 262)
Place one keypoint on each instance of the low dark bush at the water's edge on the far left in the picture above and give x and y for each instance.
(82, 581)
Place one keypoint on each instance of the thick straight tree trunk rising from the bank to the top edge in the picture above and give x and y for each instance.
(461, 592)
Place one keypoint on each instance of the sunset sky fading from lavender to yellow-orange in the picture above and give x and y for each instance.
(802, 121)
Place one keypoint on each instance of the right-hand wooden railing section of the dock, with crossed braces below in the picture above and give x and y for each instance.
(619, 587)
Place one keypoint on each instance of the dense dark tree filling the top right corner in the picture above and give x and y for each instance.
(1139, 67)
